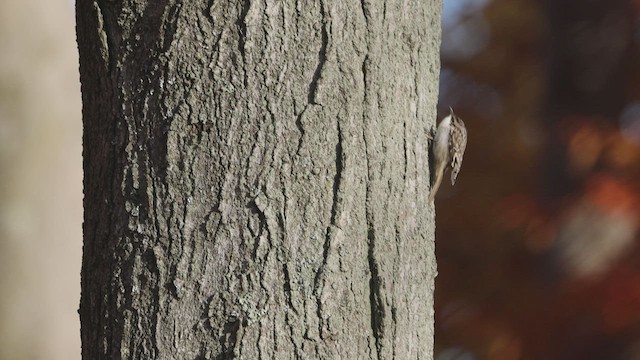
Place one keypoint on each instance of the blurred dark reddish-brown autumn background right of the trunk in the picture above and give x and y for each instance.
(537, 243)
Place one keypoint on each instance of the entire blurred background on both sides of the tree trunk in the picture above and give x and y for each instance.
(537, 243)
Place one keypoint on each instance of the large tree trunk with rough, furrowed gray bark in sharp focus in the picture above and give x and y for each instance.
(256, 175)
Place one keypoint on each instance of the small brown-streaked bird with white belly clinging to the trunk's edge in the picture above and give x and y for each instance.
(448, 147)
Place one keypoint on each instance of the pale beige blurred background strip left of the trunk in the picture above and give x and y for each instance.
(40, 181)
